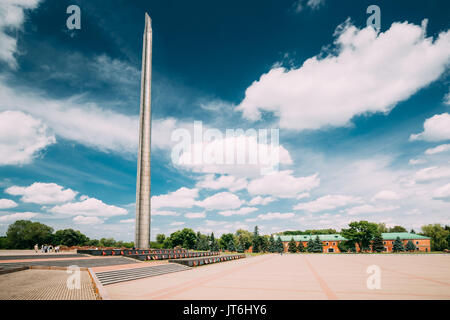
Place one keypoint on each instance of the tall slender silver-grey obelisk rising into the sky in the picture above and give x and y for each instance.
(143, 184)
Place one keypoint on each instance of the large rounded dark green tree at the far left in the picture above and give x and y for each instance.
(24, 234)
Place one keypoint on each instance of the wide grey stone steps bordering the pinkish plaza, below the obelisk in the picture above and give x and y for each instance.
(110, 277)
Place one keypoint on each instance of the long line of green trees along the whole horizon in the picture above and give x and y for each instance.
(24, 234)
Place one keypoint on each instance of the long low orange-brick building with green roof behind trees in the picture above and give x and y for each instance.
(331, 241)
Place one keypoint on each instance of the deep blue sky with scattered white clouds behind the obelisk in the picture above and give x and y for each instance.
(363, 118)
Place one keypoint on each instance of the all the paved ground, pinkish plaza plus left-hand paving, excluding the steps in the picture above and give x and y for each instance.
(270, 276)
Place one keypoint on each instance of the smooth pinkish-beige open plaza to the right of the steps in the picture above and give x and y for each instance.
(299, 276)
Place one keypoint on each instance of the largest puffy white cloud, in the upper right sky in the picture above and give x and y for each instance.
(370, 73)
